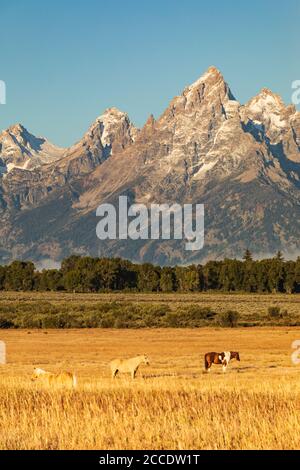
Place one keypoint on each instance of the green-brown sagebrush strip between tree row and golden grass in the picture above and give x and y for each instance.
(150, 310)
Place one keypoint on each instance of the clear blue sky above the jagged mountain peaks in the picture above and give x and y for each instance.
(64, 62)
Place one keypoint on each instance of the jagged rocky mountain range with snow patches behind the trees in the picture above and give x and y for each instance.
(241, 161)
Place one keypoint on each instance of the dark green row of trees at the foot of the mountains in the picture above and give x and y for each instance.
(86, 274)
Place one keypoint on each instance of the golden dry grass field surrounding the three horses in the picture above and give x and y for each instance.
(172, 404)
